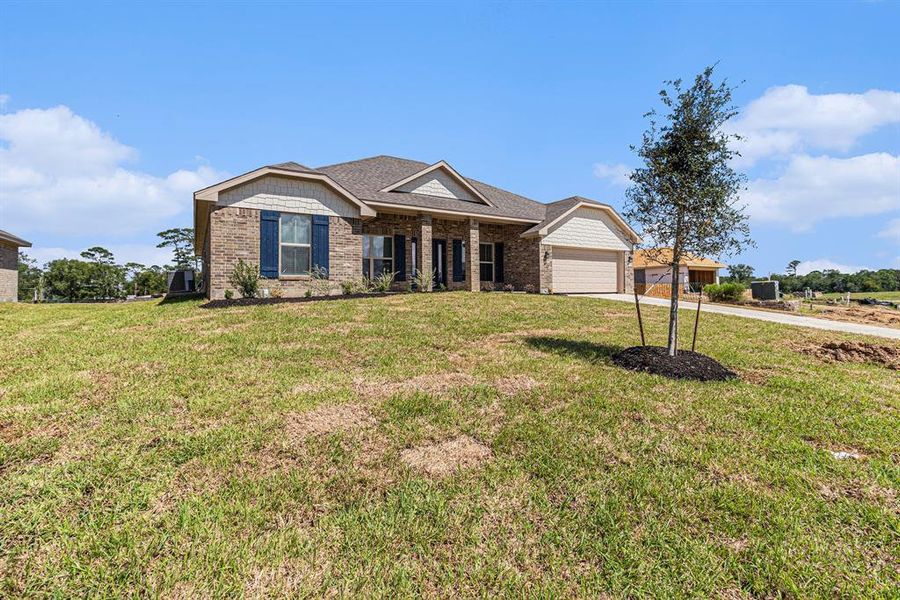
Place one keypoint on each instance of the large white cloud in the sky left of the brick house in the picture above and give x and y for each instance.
(61, 174)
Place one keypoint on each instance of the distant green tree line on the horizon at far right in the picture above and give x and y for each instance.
(829, 280)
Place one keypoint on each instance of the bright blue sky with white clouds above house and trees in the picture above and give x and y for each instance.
(111, 115)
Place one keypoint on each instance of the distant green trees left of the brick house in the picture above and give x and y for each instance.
(97, 276)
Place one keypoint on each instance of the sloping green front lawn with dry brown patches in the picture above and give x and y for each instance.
(172, 451)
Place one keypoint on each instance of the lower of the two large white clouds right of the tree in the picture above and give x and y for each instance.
(811, 189)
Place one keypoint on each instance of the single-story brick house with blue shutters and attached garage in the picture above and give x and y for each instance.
(386, 214)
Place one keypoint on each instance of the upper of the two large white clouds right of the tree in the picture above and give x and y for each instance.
(788, 119)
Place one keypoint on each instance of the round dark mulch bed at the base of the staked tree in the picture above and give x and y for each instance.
(684, 365)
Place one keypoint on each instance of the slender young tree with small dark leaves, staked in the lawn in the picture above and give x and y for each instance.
(686, 194)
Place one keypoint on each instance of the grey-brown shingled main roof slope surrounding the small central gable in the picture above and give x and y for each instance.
(366, 178)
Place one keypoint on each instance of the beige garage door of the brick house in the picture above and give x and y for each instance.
(577, 270)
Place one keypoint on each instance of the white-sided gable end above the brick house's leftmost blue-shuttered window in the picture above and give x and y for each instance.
(283, 194)
